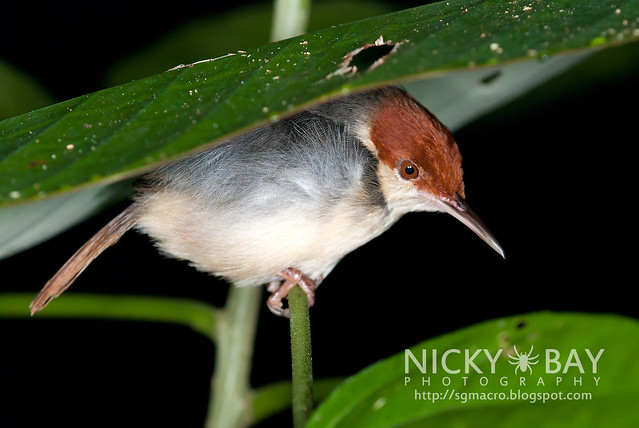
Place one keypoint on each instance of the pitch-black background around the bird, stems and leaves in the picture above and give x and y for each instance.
(552, 175)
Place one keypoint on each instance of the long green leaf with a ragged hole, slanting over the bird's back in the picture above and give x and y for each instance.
(124, 131)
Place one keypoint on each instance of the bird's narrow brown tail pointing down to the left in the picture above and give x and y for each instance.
(107, 236)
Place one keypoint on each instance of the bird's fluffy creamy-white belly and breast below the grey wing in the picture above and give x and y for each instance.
(252, 250)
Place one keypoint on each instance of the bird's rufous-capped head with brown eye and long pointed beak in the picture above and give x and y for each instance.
(424, 159)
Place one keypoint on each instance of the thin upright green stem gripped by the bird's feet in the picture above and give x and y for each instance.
(301, 357)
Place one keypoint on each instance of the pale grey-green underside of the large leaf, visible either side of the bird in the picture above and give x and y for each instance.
(457, 98)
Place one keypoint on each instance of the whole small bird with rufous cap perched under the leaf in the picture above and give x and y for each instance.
(281, 205)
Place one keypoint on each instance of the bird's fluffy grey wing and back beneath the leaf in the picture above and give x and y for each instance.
(296, 160)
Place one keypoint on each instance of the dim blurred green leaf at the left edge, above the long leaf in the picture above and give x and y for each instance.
(19, 93)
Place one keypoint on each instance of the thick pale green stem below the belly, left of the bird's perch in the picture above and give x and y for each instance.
(231, 394)
